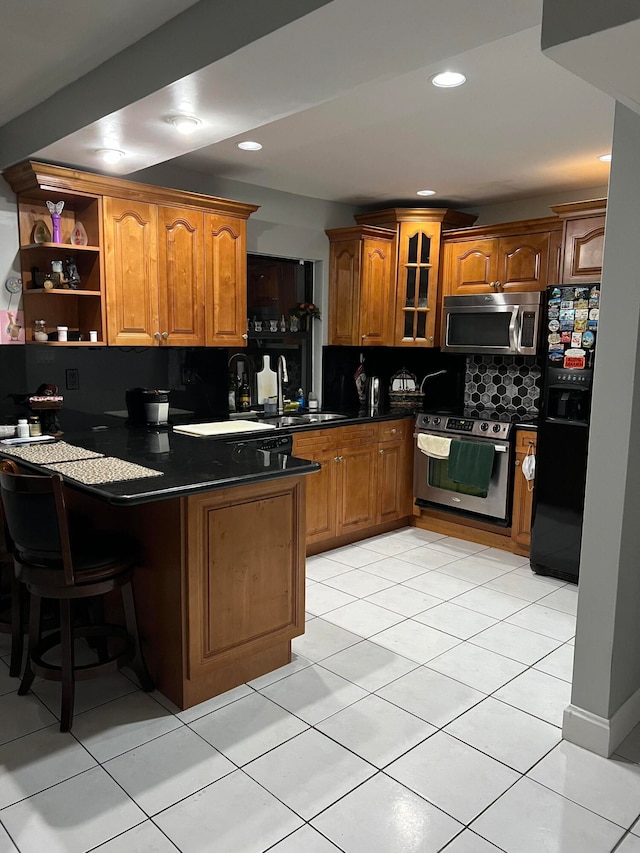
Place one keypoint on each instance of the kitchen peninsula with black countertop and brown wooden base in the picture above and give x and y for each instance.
(219, 579)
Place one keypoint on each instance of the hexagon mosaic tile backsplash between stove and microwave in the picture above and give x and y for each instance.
(502, 384)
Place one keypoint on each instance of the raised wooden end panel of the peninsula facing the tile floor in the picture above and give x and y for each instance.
(245, 582)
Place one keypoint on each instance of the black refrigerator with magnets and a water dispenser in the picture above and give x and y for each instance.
(570, 333)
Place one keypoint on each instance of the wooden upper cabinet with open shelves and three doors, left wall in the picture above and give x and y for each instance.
(169, 266)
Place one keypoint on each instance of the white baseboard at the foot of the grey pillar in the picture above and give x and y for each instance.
(599, 734)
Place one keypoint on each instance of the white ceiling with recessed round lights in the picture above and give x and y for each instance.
(340, 99)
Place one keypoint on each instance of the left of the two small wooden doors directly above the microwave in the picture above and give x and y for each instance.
(470, 266)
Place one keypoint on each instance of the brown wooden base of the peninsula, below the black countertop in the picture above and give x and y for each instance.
(219, 585)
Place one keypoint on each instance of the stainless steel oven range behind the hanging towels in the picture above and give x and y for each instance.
(431, 481)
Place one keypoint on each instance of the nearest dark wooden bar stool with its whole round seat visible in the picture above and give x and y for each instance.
(69, 565)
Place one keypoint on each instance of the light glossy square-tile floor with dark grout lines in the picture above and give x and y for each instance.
(421, 712)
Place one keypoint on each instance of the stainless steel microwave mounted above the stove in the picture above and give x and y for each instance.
(492, 323)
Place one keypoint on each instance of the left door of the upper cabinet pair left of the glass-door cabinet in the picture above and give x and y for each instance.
(344, 293)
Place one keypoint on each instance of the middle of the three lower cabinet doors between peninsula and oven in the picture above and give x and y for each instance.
(356, 488)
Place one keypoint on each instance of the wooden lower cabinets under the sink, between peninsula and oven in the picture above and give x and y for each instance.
(364, 482)
